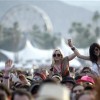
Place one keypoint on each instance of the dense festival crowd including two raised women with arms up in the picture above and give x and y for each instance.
(60, 82)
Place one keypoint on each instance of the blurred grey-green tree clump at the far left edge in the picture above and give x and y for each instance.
(12, 38)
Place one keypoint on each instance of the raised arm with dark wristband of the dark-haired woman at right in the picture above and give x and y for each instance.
(76, 51)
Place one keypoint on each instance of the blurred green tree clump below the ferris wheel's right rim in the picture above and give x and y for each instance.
(43, 40)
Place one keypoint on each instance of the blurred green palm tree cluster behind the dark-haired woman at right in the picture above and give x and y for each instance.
(84, 35)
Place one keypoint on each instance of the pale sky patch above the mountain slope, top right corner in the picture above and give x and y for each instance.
(91, 5)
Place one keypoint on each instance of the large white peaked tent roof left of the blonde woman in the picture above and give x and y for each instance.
(29, 53)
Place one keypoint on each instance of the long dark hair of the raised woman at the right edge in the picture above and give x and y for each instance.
(93, 57)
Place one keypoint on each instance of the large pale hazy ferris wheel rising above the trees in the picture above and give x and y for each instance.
(27, 15)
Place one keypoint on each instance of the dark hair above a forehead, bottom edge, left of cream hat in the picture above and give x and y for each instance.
(21, 93)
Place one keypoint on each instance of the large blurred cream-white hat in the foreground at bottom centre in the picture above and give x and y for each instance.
(53, 91)
